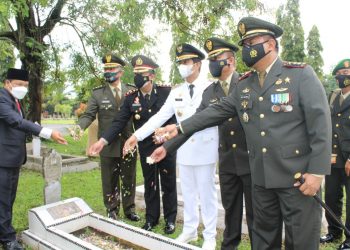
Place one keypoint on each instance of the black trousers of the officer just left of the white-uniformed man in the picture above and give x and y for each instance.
(166, 170)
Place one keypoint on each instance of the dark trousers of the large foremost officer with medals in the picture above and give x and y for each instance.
(301, 216)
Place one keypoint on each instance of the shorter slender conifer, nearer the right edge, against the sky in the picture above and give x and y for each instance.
(314, 49)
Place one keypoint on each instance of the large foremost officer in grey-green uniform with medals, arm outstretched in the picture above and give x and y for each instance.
(284, 112)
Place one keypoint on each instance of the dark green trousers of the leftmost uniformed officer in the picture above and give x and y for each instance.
(119, 183)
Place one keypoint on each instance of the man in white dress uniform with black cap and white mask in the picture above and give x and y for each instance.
(196, 158)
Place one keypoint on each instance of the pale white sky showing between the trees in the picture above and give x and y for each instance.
(331, 18)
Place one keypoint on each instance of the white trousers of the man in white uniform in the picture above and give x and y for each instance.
(198, 188)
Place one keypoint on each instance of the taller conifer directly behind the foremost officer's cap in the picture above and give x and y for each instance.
(292, 41)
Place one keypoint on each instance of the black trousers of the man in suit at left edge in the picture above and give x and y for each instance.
(8, 189)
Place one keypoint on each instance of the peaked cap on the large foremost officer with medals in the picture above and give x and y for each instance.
(251, 26)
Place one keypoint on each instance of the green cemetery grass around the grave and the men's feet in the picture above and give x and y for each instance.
(87, 185)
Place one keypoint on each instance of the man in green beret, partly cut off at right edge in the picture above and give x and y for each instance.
(339, 102)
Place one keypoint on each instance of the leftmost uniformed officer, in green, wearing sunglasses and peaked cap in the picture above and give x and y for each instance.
(118, 174)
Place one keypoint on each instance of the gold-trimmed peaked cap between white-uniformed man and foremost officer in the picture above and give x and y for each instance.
(215, 46)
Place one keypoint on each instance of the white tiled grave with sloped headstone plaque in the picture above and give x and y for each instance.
(57, 225)
